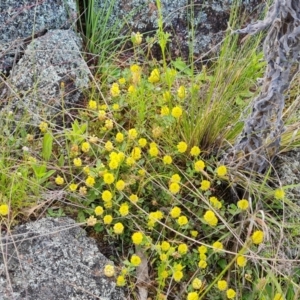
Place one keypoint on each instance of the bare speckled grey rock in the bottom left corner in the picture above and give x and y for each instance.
(53, 259)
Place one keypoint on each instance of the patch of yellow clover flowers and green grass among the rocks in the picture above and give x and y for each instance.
(141, 167)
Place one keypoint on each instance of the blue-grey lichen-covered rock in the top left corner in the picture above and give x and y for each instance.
(20, 20)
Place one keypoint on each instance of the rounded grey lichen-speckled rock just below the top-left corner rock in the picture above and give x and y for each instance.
(48, 79)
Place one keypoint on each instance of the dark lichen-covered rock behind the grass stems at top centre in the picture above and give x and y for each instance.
(207, 17)
